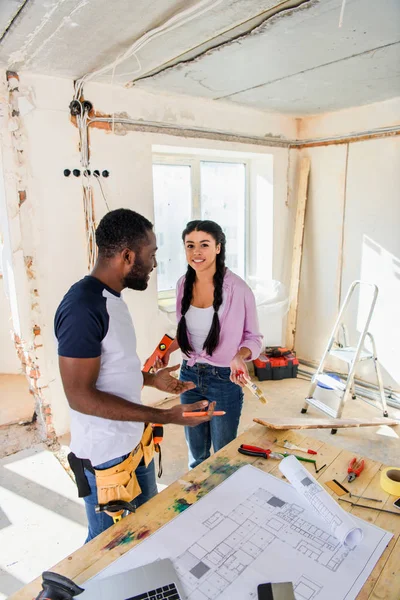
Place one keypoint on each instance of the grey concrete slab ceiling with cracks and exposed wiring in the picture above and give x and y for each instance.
(286, 56)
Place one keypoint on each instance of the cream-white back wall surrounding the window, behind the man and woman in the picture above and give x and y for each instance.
(58, 242)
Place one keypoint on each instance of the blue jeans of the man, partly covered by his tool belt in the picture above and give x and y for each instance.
(99, 522)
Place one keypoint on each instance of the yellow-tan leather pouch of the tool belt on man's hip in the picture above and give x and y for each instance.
(120, 482)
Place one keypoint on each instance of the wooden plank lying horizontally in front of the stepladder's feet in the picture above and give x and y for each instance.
(305, 423)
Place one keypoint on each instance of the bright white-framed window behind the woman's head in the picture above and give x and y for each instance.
(192, 188)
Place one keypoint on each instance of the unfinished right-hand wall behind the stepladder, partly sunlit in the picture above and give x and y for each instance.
(351, 233)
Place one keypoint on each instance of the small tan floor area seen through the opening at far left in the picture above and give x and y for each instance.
(16, 403)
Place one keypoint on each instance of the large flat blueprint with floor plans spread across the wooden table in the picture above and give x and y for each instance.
(255, 528)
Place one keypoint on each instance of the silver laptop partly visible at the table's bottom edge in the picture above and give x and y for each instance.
(155, 581)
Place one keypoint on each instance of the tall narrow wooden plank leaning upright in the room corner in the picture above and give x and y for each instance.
(297, 251)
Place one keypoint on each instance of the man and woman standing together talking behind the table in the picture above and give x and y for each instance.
(111, 445)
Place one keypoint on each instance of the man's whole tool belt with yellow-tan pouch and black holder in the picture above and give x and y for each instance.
(118, 482)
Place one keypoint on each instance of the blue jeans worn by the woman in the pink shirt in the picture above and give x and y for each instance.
(213, 384)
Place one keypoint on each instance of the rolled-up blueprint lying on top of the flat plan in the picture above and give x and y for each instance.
(341, 525)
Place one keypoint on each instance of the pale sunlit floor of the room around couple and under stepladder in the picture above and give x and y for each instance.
(42, 520)
